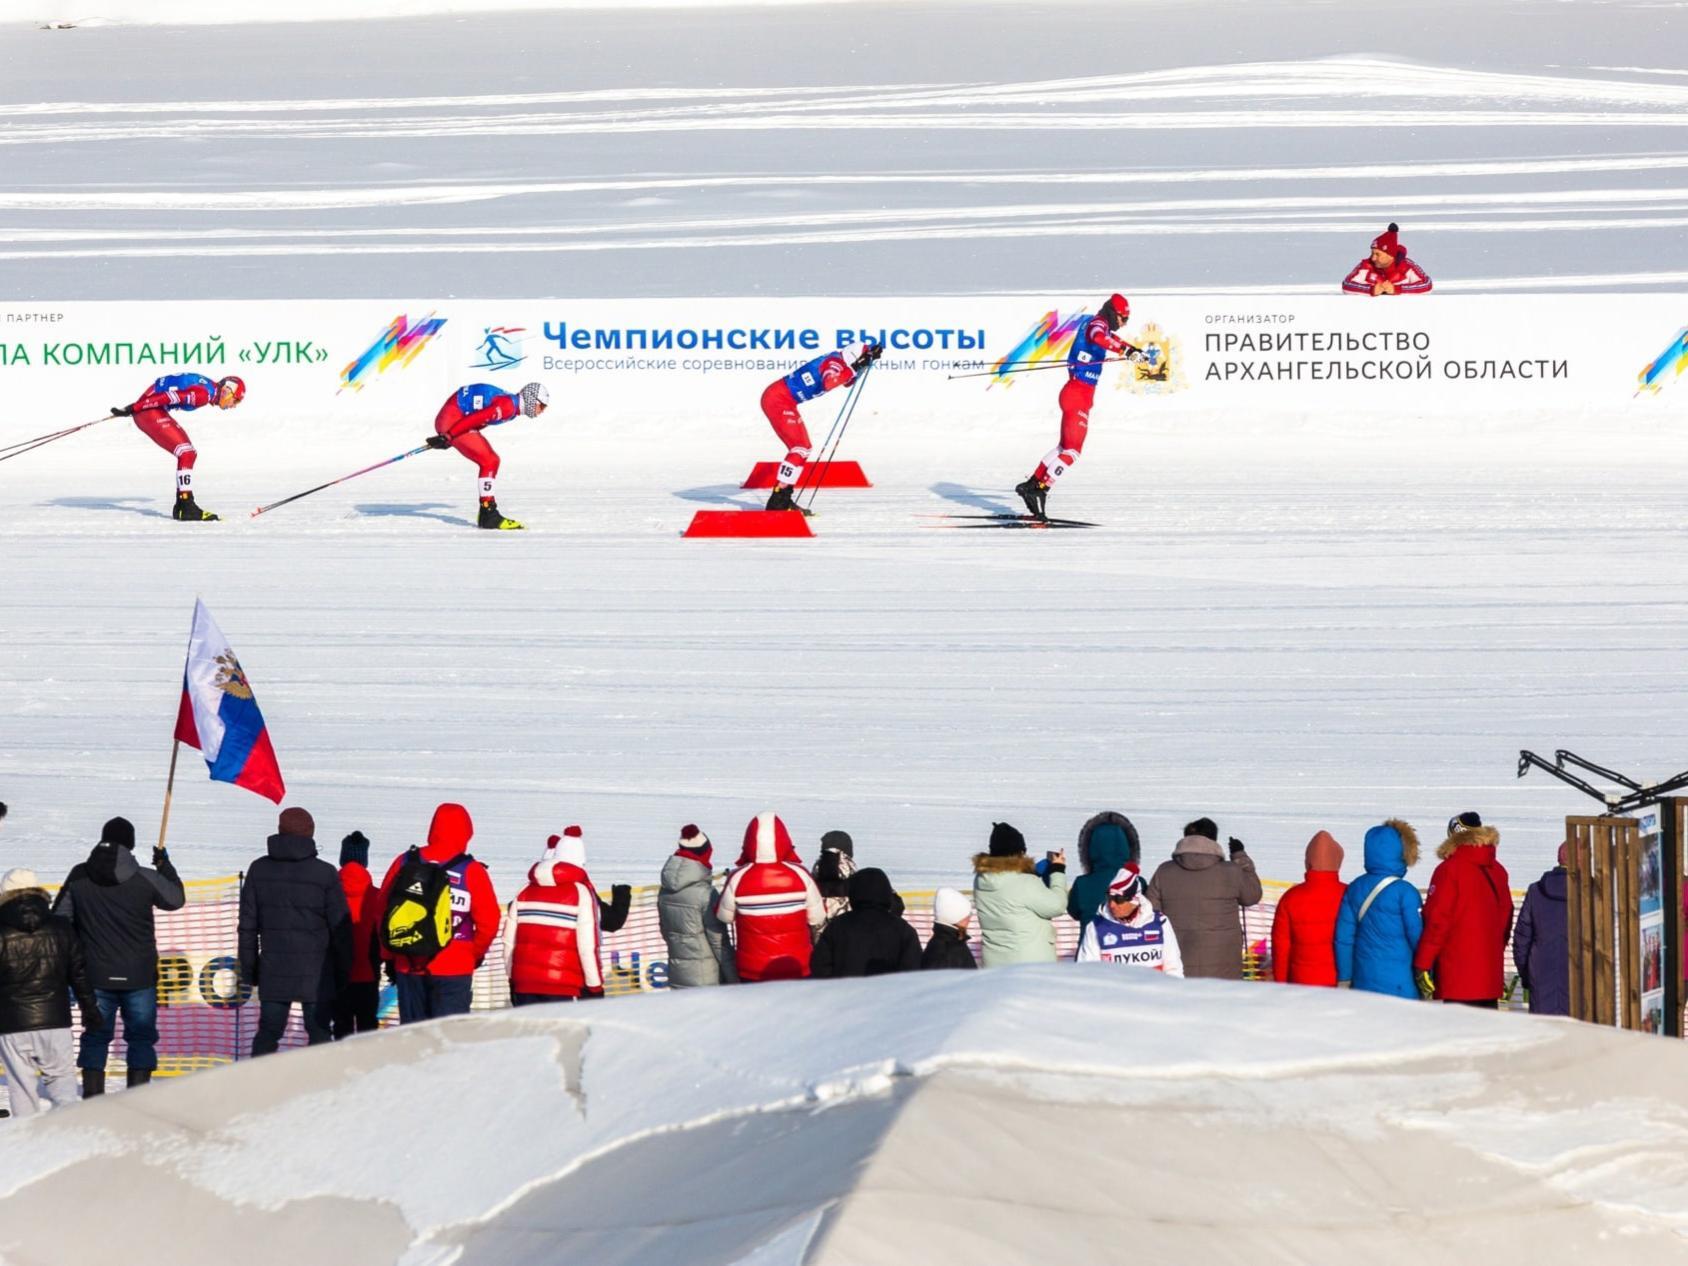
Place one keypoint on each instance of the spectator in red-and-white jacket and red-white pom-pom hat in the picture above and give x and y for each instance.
(551, 931)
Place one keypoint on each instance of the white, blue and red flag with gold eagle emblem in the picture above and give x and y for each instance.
(220, 717)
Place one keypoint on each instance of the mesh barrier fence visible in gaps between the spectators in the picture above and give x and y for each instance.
(208, 1019)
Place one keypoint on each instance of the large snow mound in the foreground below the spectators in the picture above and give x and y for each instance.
(1007, 1117)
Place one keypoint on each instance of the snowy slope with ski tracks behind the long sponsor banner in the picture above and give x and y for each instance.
(916, 148)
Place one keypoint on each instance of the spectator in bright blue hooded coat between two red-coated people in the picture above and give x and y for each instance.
(1380, 924)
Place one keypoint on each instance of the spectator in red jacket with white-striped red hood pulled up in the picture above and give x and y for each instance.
(772, 906)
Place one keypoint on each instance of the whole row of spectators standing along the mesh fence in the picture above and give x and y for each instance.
(320, 936)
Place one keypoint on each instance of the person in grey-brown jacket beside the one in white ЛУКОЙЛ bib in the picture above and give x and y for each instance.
(1204, 897)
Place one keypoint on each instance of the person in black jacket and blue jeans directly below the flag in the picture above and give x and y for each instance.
(111, 899)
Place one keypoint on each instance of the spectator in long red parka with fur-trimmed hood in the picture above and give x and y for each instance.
(1468, 919)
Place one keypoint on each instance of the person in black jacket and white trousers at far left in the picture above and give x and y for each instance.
(41, 966)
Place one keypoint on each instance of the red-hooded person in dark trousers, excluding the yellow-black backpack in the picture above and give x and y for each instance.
(445, 985)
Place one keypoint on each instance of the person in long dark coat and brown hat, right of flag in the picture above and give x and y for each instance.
(295, 929)
